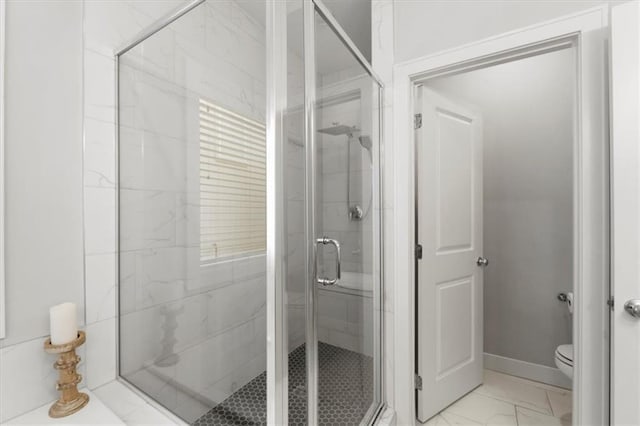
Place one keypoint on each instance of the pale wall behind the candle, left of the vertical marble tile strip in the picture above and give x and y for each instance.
(43, 166)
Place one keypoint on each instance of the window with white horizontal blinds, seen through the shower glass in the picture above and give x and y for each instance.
(232, 184)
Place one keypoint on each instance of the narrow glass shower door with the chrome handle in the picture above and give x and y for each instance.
(346, 211)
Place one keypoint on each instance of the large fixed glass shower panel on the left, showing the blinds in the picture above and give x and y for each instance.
(192, 214)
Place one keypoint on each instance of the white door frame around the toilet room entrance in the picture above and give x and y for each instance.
(587, 31)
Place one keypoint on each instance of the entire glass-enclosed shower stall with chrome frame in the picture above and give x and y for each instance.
(250, 243)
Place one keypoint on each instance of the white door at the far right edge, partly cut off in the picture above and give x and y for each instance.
(625, 215)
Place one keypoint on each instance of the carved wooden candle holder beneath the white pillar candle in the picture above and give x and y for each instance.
(70, 400)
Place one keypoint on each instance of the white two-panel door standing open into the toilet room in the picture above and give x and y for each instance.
(449, 228)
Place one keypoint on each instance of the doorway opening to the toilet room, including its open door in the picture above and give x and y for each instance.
(497, 214)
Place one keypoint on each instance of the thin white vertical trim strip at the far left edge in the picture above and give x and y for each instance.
(2, 159)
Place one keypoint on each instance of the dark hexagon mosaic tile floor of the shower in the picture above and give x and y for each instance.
(345, 392)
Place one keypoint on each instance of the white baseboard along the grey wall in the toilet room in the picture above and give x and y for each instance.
(527, 370)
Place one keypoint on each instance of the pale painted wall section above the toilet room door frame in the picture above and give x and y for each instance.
(428, 26)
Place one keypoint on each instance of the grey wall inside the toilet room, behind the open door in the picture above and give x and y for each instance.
(527, 111)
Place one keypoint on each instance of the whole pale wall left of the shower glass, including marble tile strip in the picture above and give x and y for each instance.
(60, 58)
